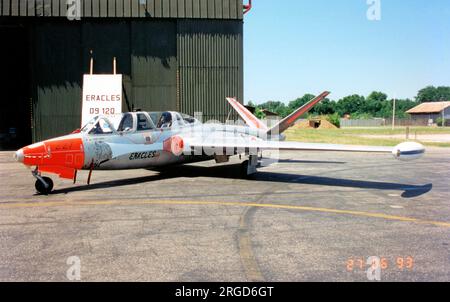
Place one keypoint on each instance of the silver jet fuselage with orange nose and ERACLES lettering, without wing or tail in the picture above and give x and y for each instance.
(130, 148)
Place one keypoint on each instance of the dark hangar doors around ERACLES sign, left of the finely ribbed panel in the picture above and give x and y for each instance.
(146, 56)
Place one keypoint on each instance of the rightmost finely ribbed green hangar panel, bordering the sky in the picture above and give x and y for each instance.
(210, 56)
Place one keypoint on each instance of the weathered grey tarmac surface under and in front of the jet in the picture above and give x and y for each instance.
(311, 217)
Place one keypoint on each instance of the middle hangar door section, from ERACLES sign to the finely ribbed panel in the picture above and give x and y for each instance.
(146, 56)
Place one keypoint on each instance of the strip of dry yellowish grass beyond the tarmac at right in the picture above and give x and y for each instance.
(355, 136)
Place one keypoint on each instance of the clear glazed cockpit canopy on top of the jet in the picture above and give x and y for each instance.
(137, 121)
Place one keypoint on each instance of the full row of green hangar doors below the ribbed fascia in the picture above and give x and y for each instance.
(185, 65)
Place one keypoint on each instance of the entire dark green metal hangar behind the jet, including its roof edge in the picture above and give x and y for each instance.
(182, 55)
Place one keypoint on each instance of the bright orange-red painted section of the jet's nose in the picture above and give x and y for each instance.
(61, 157)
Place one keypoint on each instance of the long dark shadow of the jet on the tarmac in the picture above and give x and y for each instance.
(233, 172)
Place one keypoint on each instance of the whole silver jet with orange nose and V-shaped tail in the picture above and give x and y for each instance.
(153, 140)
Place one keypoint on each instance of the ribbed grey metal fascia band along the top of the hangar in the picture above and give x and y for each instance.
(203, 9)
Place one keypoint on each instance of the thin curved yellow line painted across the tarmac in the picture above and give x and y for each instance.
(232, 204)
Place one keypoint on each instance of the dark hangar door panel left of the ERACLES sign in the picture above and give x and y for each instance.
(57, 66)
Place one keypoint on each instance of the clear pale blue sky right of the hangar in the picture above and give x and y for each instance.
(293, 47)
